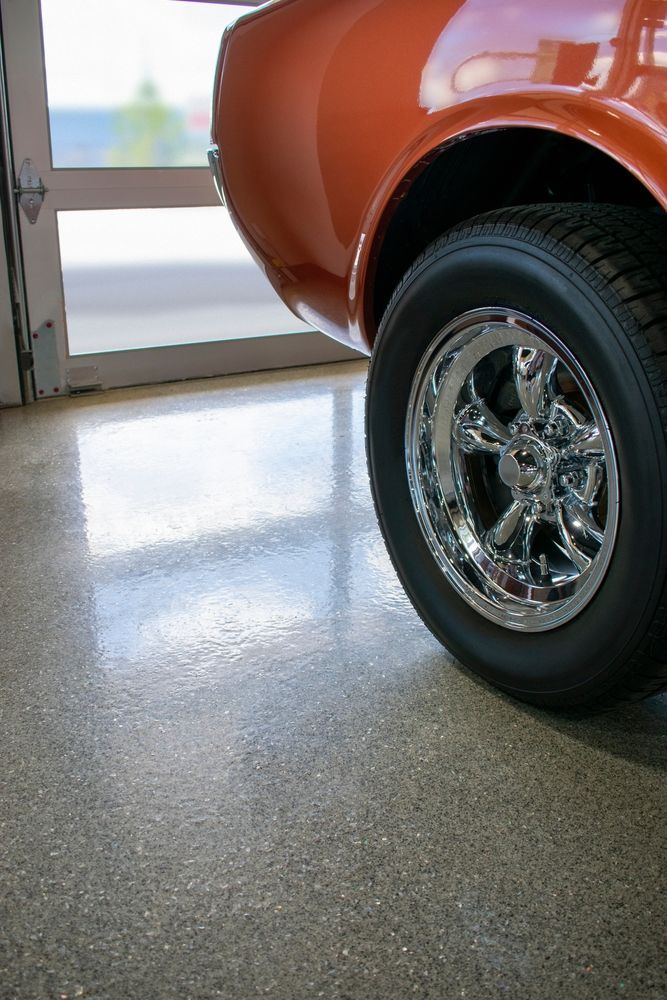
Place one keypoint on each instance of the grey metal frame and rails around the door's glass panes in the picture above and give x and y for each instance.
(111, 188)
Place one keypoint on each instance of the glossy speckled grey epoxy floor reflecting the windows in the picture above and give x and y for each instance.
(235, 764)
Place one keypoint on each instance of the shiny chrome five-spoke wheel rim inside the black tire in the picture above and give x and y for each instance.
(512, 469)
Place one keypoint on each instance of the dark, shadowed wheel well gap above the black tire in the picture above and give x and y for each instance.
(495, 169)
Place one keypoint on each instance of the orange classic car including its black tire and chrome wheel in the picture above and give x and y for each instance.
(473, 192)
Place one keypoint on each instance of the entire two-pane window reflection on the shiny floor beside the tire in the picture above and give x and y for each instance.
(223, 530)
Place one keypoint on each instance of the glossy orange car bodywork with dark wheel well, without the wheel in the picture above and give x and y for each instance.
(328, 112)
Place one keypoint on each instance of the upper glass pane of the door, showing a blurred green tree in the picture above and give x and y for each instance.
(130, 82)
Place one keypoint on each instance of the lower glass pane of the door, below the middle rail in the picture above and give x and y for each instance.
(158, 276)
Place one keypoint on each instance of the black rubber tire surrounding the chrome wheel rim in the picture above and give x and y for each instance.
(596, 276)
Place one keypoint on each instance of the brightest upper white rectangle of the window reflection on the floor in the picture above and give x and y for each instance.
(174, 477)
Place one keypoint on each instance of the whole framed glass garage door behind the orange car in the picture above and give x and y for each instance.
(133, 270)
